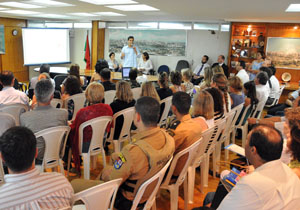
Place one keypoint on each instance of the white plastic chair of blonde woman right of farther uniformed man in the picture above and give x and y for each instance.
(198, 161)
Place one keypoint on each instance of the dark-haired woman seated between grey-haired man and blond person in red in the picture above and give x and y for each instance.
(71, 87)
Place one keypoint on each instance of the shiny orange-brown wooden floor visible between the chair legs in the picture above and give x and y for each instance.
(163, 200)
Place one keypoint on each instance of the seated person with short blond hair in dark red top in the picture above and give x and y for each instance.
(94, 96)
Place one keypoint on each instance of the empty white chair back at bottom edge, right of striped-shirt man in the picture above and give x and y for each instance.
(99, 197)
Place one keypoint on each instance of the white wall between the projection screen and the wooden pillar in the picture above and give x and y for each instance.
(77, 43)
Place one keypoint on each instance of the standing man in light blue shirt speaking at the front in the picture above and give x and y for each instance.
(130, 53)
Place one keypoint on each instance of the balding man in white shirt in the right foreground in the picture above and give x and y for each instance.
(272, 185)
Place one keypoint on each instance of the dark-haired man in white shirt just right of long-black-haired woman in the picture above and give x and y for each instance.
(262, 89)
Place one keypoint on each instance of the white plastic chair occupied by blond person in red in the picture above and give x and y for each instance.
(99, 125)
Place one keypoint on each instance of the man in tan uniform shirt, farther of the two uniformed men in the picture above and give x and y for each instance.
(184, 129)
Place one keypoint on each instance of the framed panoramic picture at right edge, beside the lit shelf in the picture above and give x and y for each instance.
(284, 52)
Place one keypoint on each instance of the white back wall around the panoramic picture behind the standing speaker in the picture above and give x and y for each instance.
(199, 43)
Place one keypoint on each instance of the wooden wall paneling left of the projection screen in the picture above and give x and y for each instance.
(13, 58)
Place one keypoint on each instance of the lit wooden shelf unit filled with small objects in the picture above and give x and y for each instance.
(246, 41)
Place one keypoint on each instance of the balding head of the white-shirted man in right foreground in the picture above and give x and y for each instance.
(267, 141)
